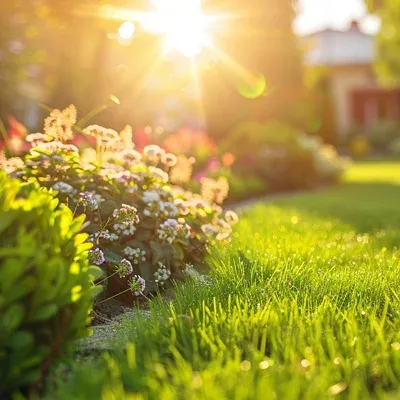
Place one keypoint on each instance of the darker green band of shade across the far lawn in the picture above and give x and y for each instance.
(368, 207)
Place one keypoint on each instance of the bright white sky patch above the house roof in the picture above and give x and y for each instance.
(319, 14)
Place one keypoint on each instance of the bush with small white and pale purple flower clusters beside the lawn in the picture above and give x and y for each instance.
(146, 229)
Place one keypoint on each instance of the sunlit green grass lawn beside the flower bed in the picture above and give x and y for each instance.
(304, 304)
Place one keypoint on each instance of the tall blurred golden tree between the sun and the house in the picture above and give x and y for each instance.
(258, 74)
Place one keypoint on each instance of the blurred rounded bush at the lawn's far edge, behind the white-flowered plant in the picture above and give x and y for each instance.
(282, 156)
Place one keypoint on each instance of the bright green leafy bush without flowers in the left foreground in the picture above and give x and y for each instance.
(46, 287)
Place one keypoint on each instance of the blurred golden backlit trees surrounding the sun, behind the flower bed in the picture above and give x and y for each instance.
(58, 53)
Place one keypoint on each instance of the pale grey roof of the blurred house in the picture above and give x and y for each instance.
(339, 48)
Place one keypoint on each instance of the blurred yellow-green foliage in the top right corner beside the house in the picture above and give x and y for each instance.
(387, 64)
